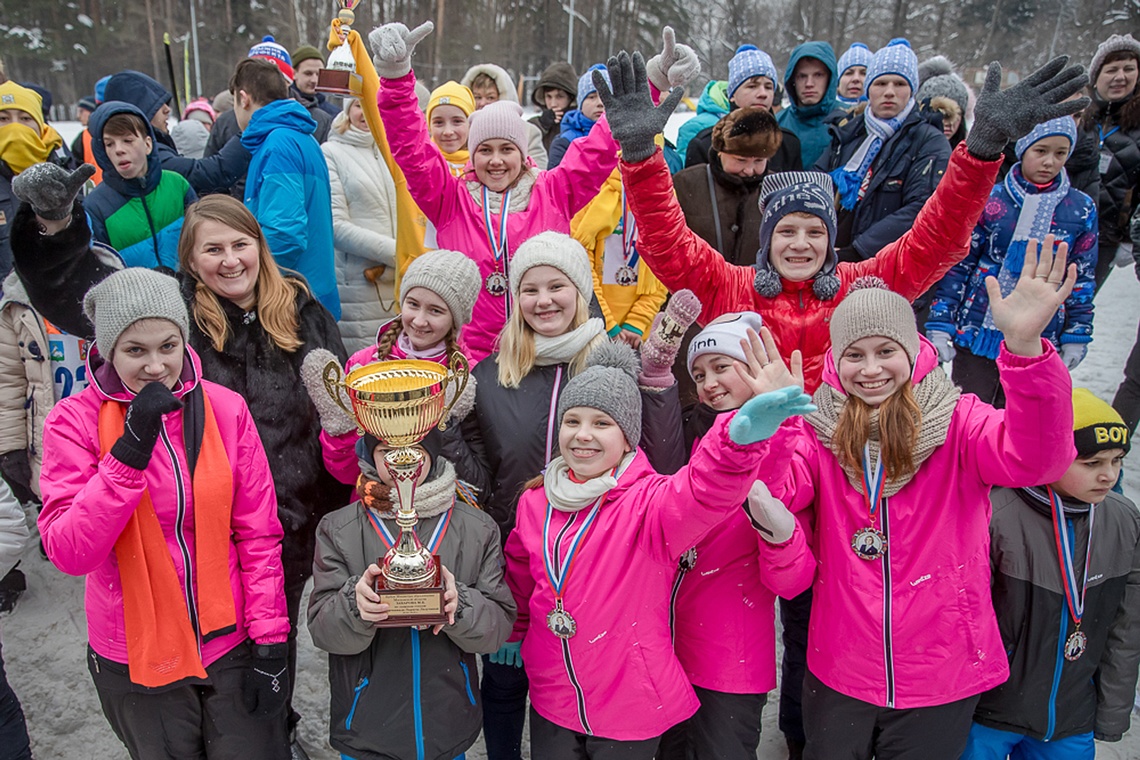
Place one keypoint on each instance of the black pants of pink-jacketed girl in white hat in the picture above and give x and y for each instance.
(726, 728)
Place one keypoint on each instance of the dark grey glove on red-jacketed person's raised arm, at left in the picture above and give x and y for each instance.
(634, 120)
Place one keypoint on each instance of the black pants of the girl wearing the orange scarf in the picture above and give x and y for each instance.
(190, 722)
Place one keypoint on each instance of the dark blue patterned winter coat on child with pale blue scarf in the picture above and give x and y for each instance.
(962, 301)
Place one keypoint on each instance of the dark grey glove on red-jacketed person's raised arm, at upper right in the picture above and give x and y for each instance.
(1003, 117)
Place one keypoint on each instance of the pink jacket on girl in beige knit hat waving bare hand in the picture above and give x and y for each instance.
(917, 628)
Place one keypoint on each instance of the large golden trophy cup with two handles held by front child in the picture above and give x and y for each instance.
(400, 403)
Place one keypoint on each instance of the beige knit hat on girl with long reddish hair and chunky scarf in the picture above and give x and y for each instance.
(870, 308)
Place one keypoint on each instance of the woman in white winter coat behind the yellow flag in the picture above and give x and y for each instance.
(364, 228)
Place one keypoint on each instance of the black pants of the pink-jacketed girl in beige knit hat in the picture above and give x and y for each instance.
(842, 728)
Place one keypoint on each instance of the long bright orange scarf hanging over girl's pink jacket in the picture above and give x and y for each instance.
(161, 644)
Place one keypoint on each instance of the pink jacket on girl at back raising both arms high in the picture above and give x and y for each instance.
(556, 198)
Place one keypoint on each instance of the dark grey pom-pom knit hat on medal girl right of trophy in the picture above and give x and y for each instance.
(609, 383)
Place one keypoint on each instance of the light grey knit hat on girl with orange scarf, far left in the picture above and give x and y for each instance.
(129, 296)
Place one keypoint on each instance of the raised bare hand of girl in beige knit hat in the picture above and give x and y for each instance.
(1040, 292)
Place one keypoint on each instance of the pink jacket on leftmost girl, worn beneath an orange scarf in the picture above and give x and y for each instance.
(88, 500)
